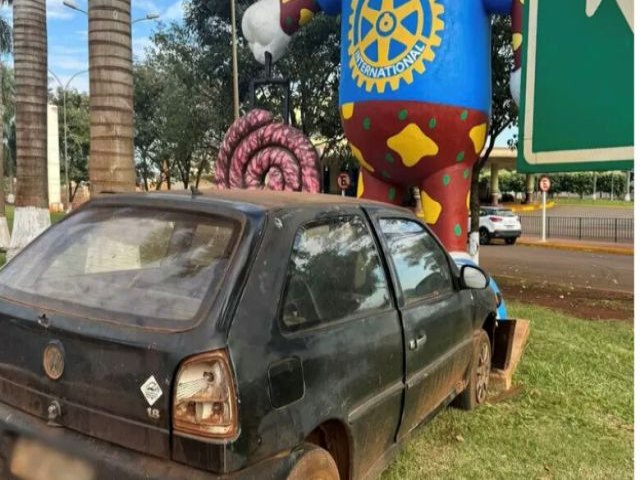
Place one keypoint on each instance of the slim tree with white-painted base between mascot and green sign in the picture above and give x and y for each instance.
(504, 112)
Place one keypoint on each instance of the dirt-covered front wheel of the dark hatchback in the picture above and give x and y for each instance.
(478, 385)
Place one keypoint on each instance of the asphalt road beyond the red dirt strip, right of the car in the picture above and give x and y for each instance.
(580, 269)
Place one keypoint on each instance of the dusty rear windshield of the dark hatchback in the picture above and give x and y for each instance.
(144, 265)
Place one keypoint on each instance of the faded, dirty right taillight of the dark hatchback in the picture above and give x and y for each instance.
(205, 401)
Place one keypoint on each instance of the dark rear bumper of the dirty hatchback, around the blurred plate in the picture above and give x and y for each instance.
(109, 461)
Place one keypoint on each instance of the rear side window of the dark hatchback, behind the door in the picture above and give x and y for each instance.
(335, 271)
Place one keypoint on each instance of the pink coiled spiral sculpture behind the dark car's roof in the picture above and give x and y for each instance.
(259, 153)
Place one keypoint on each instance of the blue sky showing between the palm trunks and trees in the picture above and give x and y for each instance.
(67, 32)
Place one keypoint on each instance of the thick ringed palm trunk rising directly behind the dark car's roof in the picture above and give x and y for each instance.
(111, 167)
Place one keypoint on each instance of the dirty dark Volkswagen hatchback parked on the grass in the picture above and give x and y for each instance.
(233, 335)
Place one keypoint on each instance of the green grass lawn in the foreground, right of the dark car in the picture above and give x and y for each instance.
(573, 418)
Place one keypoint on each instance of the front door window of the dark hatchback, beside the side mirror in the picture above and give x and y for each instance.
(421, 264)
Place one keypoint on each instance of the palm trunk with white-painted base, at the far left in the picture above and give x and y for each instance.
(30, 65)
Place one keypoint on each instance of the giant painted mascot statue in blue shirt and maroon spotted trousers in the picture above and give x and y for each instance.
(415, 92)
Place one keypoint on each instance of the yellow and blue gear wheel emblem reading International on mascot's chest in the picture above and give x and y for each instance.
(388, 43)
